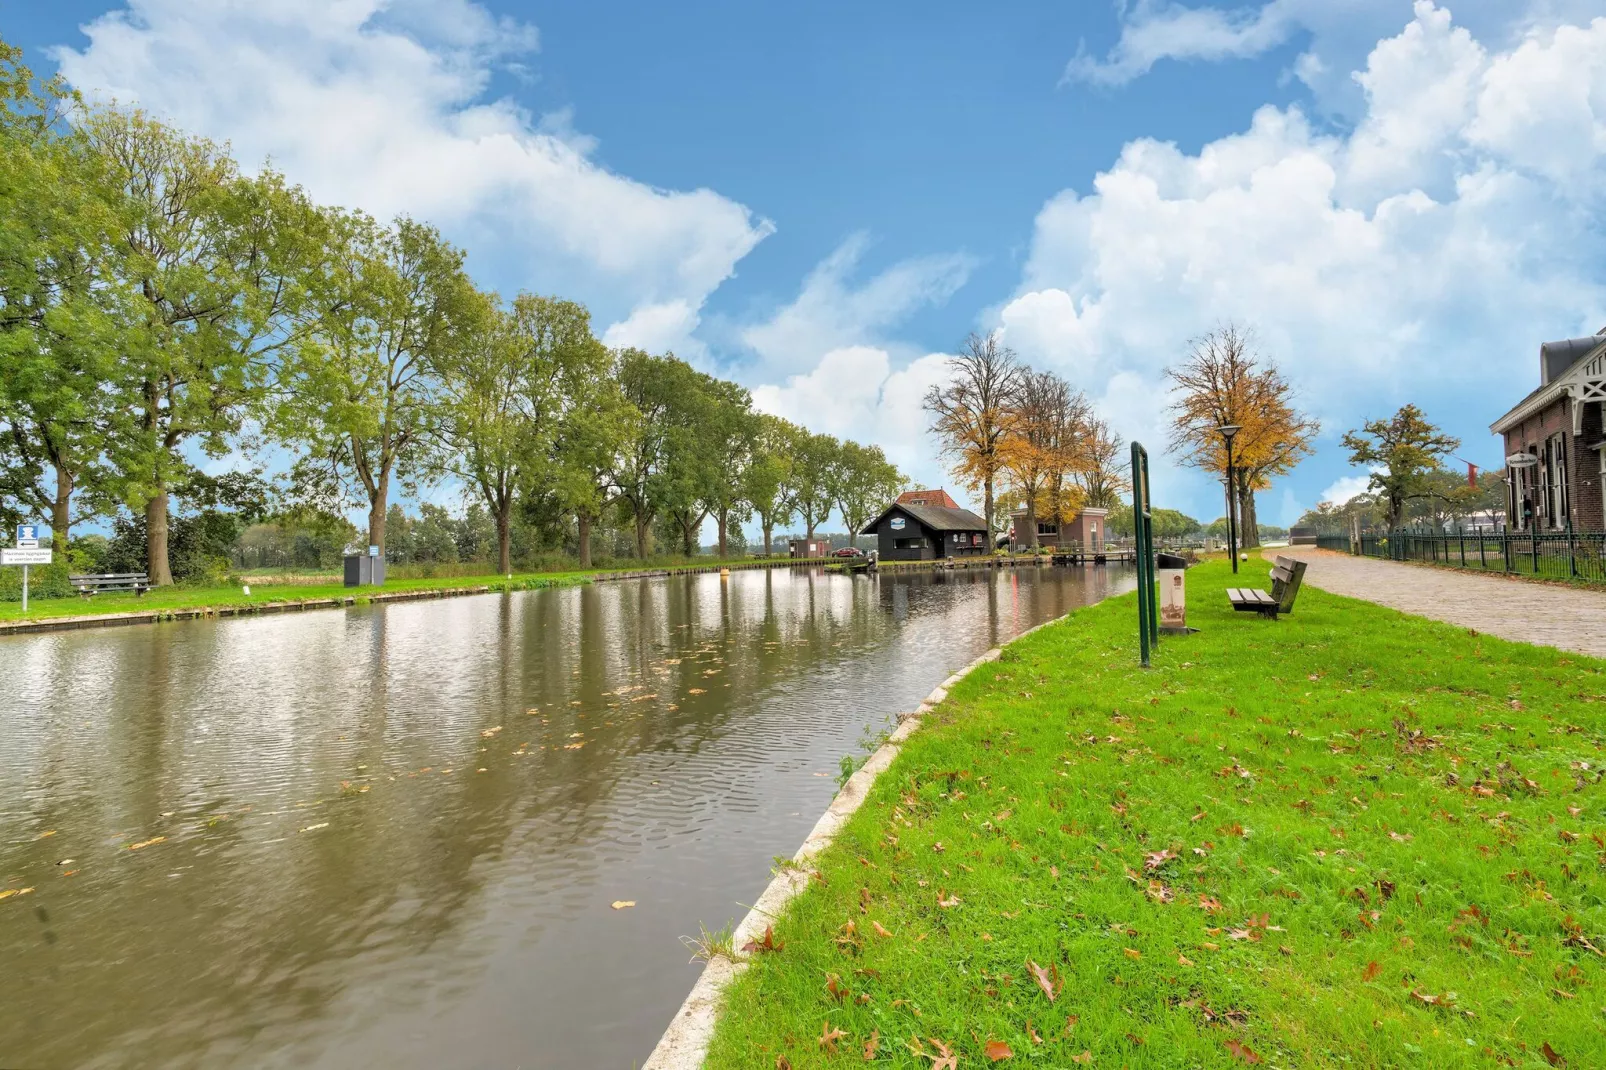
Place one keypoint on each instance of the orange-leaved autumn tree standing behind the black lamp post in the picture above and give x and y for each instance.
(1226, 382)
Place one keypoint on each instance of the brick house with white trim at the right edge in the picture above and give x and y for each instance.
(1559, 427)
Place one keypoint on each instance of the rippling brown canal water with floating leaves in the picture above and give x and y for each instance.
(393, 836)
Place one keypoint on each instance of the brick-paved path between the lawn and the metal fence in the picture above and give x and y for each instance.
(1512, 610)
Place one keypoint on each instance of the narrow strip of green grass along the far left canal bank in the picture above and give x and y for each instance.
(171, 598)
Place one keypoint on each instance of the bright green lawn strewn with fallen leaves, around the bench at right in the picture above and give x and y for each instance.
(1348, 838)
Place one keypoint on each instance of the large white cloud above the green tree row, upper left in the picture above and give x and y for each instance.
(383, 105)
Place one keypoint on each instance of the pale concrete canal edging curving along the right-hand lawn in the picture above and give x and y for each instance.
(685, 1045)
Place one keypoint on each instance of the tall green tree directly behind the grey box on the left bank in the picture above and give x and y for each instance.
(394, 309)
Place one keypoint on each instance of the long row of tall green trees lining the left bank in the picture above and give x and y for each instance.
(160, 308)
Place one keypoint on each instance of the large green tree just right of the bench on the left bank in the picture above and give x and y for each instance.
(218, 266)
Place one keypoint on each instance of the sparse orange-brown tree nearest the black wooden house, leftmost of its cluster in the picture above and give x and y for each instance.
(971, 415)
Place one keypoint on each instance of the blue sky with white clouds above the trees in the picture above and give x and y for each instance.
(1403, 200)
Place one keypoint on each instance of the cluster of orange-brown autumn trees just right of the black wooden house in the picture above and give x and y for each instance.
(1024, 439)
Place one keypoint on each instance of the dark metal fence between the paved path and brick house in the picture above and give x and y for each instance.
(1559, 555)
